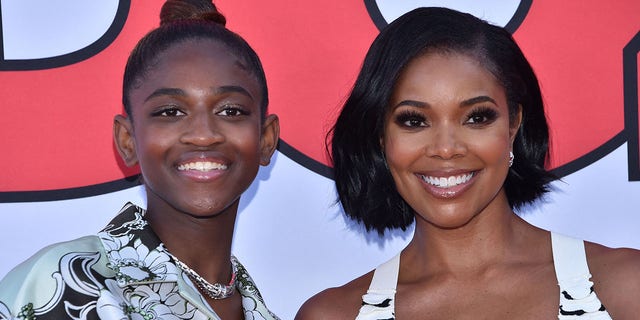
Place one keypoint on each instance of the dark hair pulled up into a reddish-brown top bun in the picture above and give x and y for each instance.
(181, 21)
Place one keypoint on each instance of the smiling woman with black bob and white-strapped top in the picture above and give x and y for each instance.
(445, 126)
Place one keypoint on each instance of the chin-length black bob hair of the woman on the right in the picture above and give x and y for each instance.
(364, 183)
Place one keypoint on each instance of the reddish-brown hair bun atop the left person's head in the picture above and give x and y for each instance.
(180, 10)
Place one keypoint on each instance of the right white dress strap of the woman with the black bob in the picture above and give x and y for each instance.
(577, 298)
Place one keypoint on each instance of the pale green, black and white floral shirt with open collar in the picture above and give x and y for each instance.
(122, 273)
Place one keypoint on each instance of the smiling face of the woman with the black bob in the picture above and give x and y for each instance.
(447, 139)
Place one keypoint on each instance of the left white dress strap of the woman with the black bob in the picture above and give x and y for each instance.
(378, 302)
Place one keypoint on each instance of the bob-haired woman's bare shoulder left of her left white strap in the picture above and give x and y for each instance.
(337, 303)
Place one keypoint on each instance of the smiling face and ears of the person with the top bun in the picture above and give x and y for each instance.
(196, 129)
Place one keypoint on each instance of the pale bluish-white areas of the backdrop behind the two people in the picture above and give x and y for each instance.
(290, 234)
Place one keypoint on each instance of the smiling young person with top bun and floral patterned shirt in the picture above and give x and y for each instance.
(196, 123)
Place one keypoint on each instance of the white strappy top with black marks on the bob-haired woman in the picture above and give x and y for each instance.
(577, 297)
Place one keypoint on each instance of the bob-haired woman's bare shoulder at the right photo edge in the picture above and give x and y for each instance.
(616, 277)
